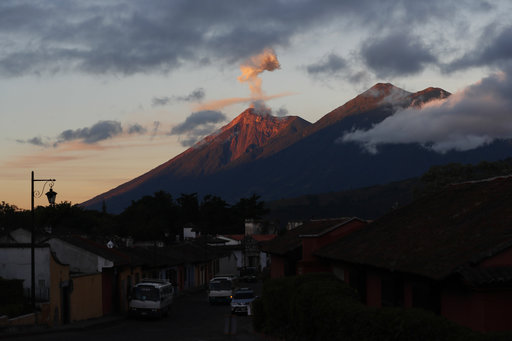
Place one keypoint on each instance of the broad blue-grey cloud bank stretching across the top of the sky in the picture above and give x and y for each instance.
(127, 37)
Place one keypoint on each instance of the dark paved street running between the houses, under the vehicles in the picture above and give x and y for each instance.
(192, 318)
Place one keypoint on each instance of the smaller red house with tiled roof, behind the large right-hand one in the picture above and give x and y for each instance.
(293, 252)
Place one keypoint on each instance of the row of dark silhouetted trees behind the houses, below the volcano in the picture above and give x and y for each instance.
(157, 216)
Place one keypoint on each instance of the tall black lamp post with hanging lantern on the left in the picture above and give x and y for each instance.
(51, 199)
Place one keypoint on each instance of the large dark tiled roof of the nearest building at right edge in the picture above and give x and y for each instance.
(436, 234)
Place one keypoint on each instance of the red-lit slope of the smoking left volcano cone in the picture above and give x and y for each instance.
(240, 141)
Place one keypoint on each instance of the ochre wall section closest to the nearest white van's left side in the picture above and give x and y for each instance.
(86, 297)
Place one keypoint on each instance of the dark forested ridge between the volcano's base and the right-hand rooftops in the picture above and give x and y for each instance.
(375, 201)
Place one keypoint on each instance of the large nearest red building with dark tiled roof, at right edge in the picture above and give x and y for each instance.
(449, 252)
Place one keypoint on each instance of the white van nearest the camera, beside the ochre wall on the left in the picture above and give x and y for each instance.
(151, 297)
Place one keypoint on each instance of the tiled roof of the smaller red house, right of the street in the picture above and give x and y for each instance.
(291, 240)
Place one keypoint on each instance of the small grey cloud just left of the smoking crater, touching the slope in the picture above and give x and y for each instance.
(198, 125)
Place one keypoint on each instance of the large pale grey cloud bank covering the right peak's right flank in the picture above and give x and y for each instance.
(468, 119)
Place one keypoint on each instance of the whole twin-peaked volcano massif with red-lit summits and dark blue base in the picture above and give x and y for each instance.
(282, 157)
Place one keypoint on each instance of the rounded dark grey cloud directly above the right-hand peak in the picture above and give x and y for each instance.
(397, 54)
